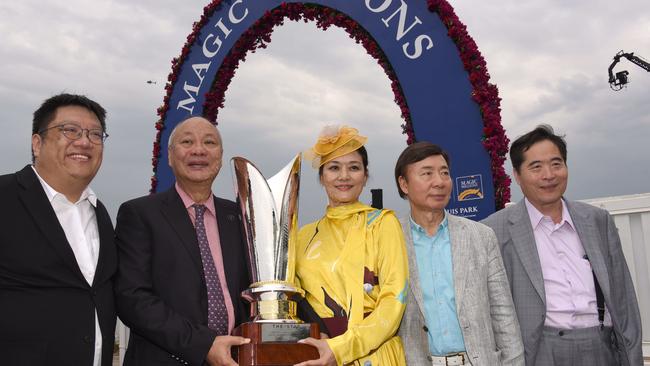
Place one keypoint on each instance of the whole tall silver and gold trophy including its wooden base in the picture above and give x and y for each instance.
(270, 216)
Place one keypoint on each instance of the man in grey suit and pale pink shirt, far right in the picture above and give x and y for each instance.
(570, 284)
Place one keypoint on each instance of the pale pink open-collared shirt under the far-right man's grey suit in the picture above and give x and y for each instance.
(568, 277)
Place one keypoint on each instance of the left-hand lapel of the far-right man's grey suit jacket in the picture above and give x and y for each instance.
(523, 239)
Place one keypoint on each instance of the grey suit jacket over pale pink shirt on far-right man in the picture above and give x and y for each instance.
(601, 242)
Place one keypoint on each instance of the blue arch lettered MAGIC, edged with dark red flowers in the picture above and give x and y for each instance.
(440, 97)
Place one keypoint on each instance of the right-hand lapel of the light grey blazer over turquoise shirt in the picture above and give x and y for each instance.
(459, 255)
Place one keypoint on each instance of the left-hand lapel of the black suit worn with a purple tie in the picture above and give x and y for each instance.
(177, 217)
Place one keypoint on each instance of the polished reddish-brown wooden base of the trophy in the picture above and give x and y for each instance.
(274, 344)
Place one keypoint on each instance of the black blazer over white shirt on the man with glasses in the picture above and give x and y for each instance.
(47, 309)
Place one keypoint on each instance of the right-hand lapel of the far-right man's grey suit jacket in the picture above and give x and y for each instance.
(590, 240)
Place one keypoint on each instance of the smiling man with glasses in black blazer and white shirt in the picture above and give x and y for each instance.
(57, 256)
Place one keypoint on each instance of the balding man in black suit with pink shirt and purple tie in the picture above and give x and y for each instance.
(183, 260)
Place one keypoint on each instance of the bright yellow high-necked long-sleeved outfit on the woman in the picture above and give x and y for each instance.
(333, 256)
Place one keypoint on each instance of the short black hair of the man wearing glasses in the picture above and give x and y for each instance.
(46, 112)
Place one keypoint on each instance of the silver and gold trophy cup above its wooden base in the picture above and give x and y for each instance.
(270, 216)
